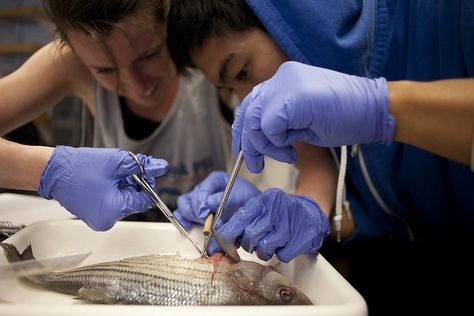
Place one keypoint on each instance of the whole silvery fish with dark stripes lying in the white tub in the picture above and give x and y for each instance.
(169, 280)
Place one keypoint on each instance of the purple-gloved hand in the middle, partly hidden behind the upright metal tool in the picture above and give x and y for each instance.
(195, 205)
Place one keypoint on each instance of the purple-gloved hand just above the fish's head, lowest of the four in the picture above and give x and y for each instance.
(275, 222)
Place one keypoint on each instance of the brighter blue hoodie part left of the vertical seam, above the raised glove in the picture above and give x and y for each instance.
(335, 34)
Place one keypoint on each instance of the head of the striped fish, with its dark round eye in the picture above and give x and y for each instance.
(266, 286)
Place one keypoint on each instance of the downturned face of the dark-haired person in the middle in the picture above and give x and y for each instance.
(239, 60)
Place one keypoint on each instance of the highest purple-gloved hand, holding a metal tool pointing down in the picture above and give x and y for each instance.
(315, 105)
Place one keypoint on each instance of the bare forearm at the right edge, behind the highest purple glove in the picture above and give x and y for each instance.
(437, 116)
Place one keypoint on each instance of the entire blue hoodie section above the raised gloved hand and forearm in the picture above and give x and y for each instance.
(417, 40)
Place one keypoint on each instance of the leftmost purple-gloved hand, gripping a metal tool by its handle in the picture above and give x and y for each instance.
(95, 184)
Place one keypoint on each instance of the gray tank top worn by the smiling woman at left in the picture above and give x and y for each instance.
(194, 137)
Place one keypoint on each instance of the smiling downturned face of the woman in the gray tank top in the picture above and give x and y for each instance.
(133, 59)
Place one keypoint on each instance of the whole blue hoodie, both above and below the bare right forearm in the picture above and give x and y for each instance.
(424, 196)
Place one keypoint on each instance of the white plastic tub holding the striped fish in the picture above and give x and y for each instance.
(313, 274)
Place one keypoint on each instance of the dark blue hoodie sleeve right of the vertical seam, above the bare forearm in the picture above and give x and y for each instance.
(430, 40)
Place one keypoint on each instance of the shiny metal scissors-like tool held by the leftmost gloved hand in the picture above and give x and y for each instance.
(159, 203)
